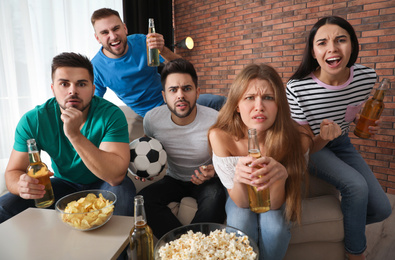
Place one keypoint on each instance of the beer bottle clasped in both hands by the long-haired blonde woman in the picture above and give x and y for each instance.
(259, 200)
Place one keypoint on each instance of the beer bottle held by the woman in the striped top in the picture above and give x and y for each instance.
(371, 111)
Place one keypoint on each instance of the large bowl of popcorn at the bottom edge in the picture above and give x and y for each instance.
(206, 241)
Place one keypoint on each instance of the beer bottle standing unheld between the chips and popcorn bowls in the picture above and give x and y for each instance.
(141, 238)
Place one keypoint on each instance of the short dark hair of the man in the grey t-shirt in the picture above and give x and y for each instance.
(178, 66)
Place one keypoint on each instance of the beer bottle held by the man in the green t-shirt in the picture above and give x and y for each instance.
(37, 169)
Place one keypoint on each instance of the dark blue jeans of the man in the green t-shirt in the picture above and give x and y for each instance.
(11, 205)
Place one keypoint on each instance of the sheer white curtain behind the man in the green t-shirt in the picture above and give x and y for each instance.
(32, 33)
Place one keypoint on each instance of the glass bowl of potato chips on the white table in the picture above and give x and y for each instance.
(86, 210)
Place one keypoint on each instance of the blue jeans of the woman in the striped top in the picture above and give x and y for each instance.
(363, 199)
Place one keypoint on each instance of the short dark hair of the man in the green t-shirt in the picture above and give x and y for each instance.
(71, 59)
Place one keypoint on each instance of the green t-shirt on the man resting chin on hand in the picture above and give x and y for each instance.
(105, 123)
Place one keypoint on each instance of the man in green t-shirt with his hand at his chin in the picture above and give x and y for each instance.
(85, 136)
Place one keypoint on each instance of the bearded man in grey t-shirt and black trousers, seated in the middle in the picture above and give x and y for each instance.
(182, 127)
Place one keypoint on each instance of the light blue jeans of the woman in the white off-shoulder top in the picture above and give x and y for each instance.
(269, 230)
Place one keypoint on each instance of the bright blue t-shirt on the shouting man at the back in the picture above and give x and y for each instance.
(132, 80)
